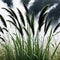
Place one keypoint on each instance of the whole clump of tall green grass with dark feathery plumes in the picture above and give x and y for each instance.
(31, 48)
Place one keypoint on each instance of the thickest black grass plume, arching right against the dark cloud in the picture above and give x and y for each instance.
(42, 16)
